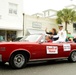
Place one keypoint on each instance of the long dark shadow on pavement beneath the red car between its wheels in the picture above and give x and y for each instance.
(45, 63)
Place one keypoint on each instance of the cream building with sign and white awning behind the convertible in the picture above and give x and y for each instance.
(35, 24)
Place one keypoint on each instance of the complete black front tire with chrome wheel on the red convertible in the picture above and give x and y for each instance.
(18, 60)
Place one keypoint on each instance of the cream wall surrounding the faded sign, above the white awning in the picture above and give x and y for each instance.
(44, 23)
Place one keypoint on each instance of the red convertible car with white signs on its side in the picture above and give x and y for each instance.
(33, 48)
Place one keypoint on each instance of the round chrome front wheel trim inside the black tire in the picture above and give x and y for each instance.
(19, 60)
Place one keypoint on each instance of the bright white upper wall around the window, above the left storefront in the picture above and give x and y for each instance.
(10, 22)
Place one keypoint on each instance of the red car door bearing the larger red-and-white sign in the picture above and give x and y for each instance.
(53, 50)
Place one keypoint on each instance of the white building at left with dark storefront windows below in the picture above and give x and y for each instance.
(11, 18)
